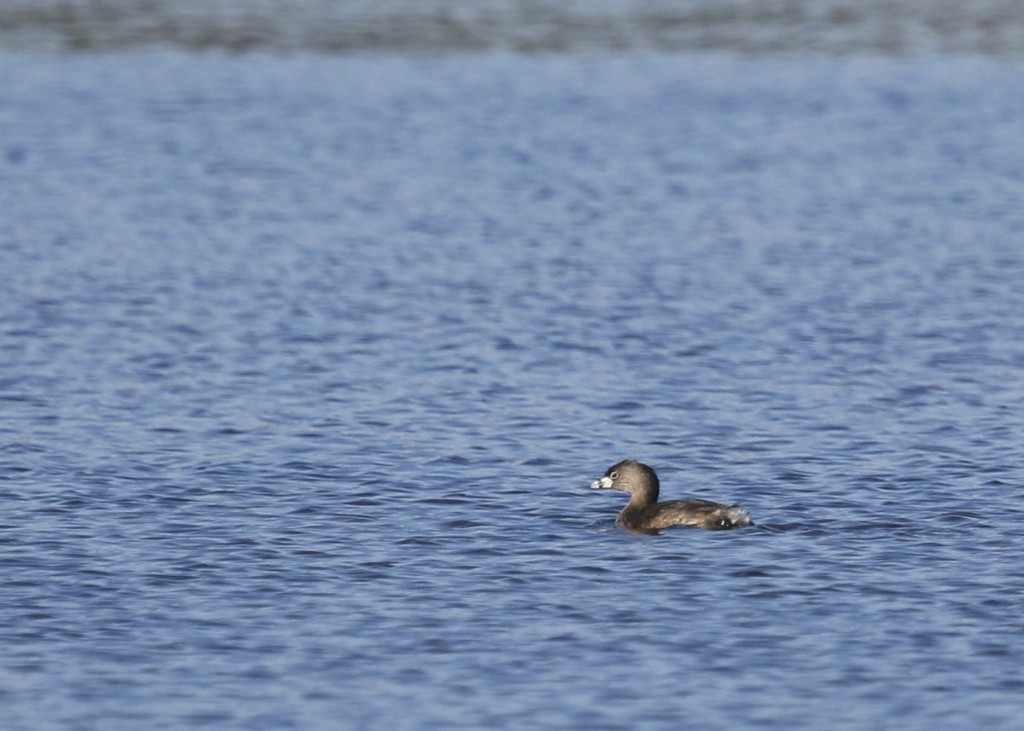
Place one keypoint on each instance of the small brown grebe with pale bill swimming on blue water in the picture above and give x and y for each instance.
(645, 514)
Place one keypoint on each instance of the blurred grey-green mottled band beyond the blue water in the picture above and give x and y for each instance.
(755, 27)
